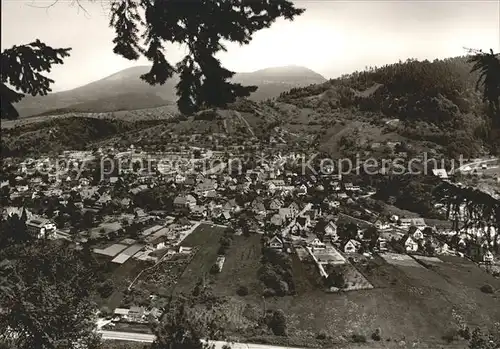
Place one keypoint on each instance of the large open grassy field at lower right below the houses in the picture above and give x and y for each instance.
(415, 303)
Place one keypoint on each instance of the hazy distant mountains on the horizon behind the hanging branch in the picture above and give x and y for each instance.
(126, 91)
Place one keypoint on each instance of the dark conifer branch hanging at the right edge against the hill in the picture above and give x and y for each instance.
(488, 67)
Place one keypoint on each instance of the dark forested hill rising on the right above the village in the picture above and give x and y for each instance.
(436, 101)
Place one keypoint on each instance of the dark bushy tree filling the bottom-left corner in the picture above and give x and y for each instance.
(45, 297)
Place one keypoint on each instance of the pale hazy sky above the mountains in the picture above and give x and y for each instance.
(331, 37)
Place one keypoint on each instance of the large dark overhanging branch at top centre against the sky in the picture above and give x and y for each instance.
(200, 26)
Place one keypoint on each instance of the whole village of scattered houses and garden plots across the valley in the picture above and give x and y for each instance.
(162, 227)
